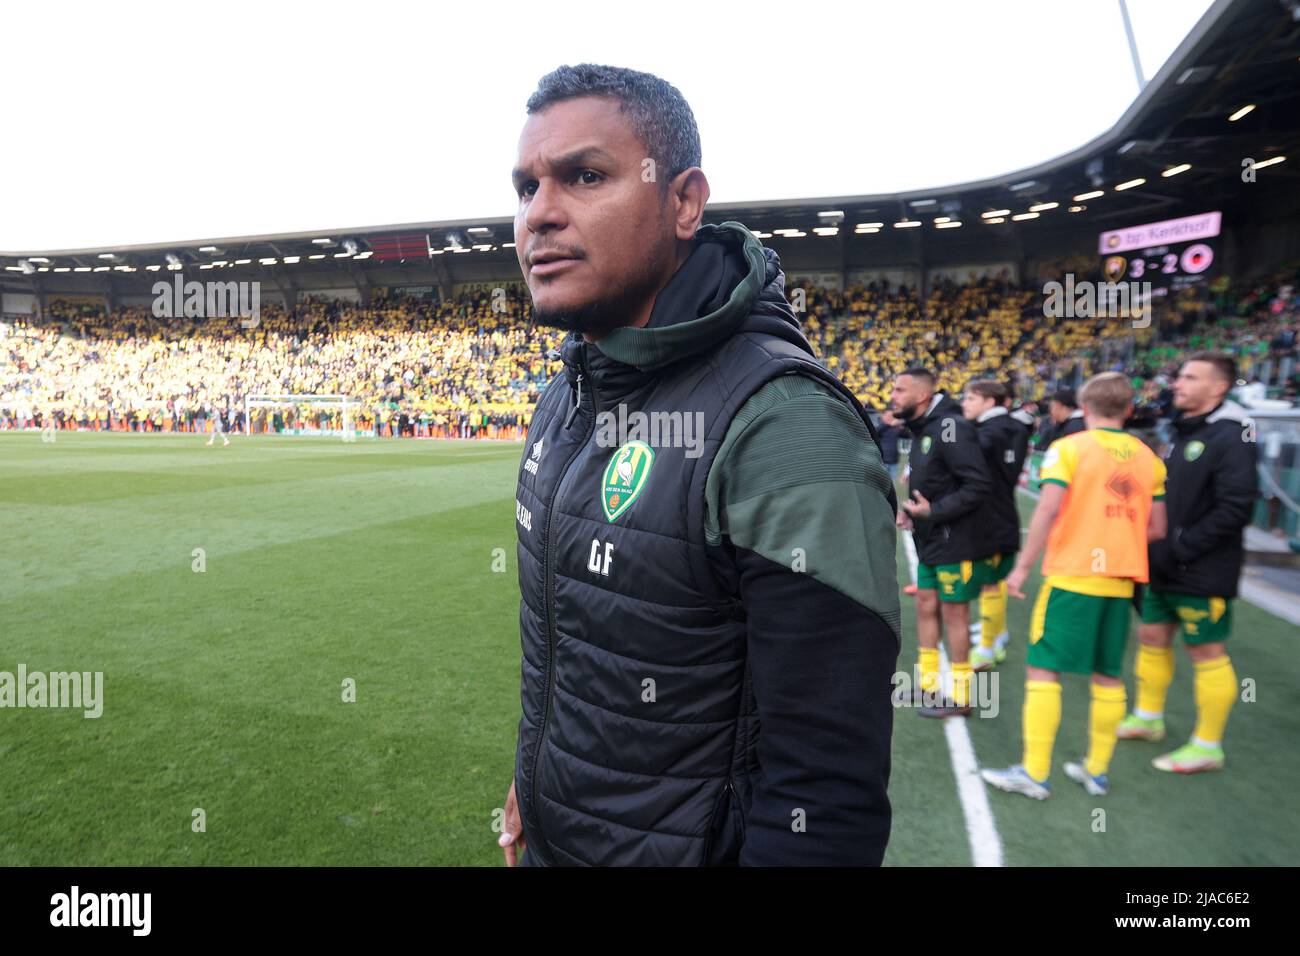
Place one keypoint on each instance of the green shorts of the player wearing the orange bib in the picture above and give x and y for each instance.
(1078, 634)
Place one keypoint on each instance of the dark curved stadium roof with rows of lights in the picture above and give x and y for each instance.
(1229, 94)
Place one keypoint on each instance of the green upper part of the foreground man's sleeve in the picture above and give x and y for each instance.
(800, 482)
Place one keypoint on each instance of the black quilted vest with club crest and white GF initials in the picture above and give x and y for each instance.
(639, 732)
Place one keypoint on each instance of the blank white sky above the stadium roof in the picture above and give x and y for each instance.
(167, 122)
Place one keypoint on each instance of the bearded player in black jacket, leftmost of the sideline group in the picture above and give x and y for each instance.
(948, 488)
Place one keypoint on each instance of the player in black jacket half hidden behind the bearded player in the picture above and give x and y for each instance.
(1004, 442)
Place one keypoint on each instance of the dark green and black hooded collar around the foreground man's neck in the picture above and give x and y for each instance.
(730, 282)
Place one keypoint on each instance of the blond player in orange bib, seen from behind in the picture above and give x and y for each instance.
(1102, 504)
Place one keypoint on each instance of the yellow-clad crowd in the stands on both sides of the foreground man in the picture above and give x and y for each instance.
(474, 366)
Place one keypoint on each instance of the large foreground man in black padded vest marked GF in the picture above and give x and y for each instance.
(709, 616)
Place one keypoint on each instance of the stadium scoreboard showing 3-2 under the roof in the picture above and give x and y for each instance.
(1172, 256)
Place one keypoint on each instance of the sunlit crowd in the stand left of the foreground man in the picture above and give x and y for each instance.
(465, 369)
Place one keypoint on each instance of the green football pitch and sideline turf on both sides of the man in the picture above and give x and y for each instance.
(228, 595)
